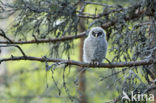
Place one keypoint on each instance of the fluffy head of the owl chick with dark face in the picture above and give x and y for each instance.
(97, 32)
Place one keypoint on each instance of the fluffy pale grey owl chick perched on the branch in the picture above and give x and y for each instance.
(95, 46)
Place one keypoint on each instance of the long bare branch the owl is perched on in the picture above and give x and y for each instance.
(82, 64)
